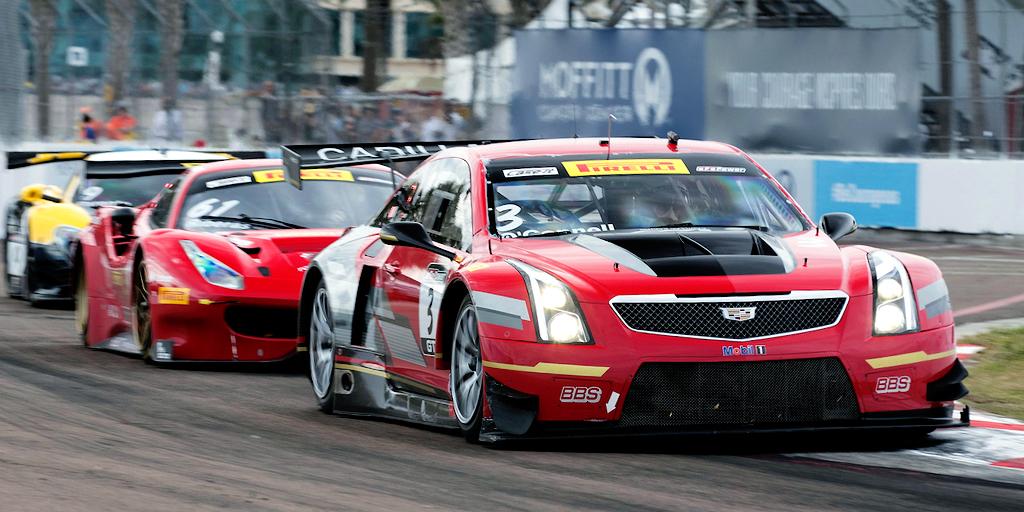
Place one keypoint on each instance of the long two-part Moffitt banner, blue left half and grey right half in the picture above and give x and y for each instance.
(817, 91)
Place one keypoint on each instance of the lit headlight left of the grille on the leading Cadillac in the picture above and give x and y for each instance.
(559, 318)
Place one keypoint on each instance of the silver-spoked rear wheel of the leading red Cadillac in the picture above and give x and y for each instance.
(322, 350)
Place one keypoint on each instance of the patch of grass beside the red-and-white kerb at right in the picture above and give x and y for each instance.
(997, 381)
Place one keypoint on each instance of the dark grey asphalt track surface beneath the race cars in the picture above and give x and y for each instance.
(91, 431)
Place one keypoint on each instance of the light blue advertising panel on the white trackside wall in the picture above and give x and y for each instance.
(878, 194)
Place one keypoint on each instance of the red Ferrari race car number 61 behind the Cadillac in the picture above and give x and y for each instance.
(211, 269)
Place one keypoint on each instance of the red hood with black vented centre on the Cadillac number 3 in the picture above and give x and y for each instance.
(706, 262)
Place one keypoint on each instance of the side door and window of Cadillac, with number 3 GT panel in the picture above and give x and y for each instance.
(413, 280)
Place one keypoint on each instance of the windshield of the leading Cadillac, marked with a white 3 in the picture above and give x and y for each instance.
(530, 204)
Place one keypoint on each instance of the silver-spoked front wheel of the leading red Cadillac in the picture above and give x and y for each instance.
(466, 377)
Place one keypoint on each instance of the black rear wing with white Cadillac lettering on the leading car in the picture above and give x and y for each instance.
(301, 157)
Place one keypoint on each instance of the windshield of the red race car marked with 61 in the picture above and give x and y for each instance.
(263, 200)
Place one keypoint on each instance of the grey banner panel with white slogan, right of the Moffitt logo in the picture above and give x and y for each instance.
(819, 91)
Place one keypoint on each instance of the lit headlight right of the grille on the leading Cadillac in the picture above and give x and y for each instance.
(895, 309)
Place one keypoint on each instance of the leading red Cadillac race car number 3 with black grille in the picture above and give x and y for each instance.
(542, 288)
